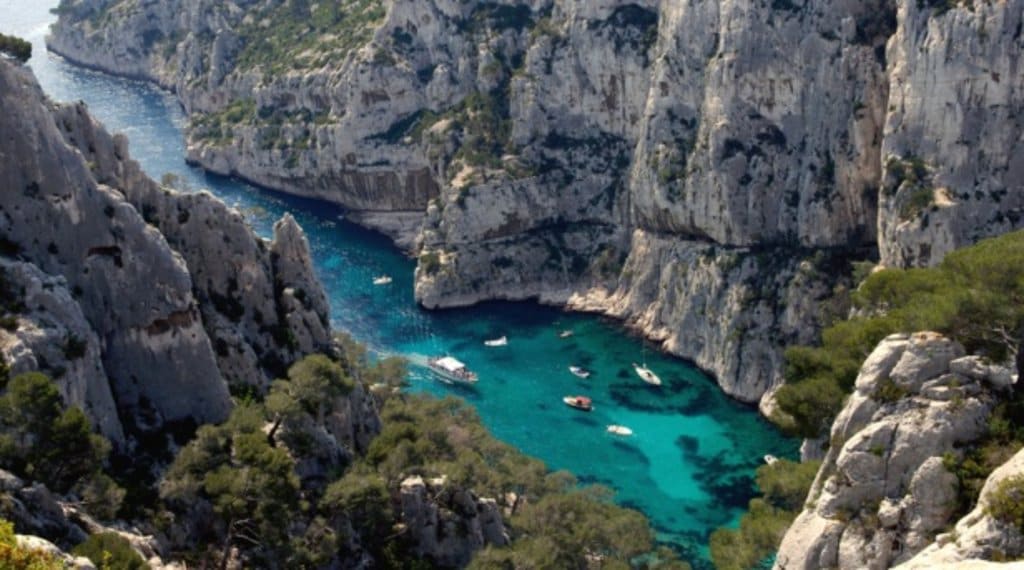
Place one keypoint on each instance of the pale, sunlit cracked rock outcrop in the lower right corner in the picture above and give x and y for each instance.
(884, 494)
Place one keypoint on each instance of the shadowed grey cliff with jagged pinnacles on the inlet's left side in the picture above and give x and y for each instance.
(157, 300)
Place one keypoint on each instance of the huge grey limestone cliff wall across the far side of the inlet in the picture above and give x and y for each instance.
(589, 153)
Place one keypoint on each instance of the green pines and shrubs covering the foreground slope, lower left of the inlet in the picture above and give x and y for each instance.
(279, 485)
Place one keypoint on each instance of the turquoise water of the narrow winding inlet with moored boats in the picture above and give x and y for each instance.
(691, 463)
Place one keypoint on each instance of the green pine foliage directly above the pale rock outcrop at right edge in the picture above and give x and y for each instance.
(975, 296)
